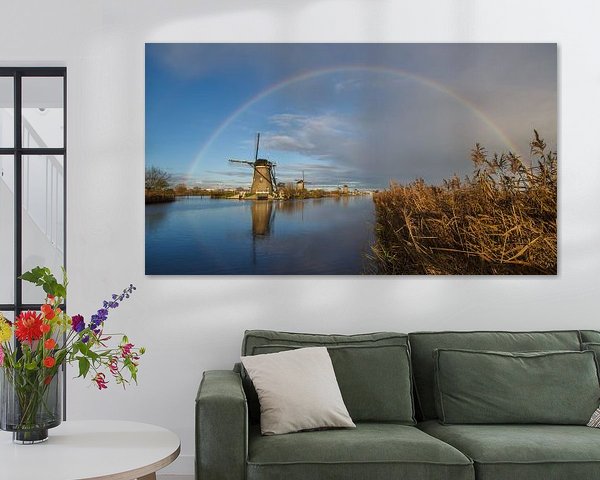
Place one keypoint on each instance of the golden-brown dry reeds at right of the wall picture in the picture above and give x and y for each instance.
(499, 220)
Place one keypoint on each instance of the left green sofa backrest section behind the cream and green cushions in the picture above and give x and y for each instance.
(263, 338)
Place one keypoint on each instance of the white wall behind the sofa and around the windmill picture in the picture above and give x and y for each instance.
(190, 324)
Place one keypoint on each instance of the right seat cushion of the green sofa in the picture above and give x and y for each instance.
(525, 452)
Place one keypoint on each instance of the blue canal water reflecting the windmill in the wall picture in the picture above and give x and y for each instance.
(203, 236)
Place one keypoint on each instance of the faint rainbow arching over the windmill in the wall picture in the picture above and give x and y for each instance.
(437, 86)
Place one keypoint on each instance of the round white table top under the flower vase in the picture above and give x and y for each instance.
(97, 449)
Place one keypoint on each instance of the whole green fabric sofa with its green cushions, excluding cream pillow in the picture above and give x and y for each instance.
(445, 438)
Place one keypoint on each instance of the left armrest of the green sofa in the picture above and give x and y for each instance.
(221, 427)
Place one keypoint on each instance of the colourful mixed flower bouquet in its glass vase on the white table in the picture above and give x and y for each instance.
(30, 368)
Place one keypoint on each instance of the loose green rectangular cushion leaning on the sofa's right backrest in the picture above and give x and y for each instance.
(479, 387)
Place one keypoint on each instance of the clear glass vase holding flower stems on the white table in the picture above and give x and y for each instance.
(30, 403)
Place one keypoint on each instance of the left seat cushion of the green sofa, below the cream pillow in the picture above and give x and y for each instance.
(369, 451)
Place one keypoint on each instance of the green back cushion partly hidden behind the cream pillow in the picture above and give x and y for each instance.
(375, 380)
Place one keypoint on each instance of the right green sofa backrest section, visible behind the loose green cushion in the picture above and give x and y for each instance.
(423, 344)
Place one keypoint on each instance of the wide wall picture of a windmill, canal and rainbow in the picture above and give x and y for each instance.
(350, 159)
